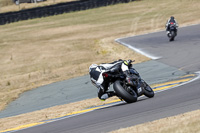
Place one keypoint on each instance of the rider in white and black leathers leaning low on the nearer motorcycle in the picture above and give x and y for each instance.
(96, 77)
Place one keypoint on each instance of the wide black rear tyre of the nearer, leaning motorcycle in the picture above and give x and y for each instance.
(128, 96)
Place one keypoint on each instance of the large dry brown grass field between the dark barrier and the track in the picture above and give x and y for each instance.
(42, 51)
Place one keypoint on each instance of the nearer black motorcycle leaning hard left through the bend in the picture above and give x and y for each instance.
(129, 86)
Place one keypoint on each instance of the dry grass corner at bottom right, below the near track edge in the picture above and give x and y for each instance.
(183, 123)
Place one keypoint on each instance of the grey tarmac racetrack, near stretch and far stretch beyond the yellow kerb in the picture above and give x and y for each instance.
(182, 54)
